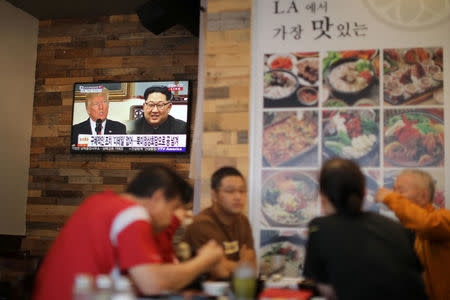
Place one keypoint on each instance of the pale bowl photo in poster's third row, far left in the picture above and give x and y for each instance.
(289, 198)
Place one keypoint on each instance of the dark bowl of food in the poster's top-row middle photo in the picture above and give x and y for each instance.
(350, 78)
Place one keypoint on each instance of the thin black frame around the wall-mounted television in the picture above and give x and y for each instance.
(126, 150)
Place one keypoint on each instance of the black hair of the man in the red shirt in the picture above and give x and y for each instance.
(157, 177)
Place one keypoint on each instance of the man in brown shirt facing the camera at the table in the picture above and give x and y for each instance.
(224, 222)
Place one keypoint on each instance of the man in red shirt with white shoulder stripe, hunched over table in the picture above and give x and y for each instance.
(117, 234)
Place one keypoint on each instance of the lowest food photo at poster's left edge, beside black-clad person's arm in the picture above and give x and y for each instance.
(282, 252)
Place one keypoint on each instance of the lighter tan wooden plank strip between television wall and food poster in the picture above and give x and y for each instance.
(227, 89)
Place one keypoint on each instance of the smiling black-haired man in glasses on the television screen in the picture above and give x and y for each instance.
(156, 119)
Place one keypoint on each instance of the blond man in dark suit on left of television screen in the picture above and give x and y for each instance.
(97, 106)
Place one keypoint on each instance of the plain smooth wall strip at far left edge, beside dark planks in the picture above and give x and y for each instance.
(18, 48)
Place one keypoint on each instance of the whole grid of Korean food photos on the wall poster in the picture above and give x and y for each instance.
(382, 108)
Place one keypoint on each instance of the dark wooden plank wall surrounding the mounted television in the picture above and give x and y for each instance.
(106, 48)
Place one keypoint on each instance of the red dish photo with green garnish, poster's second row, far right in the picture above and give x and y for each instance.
(414, 138)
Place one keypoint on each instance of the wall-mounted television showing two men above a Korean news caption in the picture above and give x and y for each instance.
(151, 117)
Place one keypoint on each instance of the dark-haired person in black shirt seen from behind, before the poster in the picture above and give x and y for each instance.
(353, 254)
